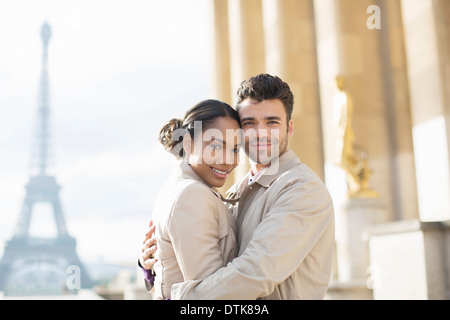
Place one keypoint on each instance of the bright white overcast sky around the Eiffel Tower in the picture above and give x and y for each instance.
(118, 70)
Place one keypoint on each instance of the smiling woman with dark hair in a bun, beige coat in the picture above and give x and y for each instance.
(195, 232)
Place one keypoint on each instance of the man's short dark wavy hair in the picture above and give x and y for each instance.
(266, 87)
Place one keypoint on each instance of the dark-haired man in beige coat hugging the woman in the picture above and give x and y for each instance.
(284, 213)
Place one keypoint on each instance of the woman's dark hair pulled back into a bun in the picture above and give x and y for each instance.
(206, 112)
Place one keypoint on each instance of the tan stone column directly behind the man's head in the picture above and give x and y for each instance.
(291, 55)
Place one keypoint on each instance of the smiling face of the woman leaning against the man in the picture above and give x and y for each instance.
(215, 153)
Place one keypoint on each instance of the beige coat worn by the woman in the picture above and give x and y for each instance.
(195, 232)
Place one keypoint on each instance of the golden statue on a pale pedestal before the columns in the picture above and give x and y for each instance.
(351, 158)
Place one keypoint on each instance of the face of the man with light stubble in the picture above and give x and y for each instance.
(266, 129)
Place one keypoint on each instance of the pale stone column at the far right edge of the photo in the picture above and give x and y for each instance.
(427, 42)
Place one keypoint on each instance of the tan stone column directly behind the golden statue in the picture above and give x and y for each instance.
(347, 47)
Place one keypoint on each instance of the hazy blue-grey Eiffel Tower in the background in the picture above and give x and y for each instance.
(42, 266)
